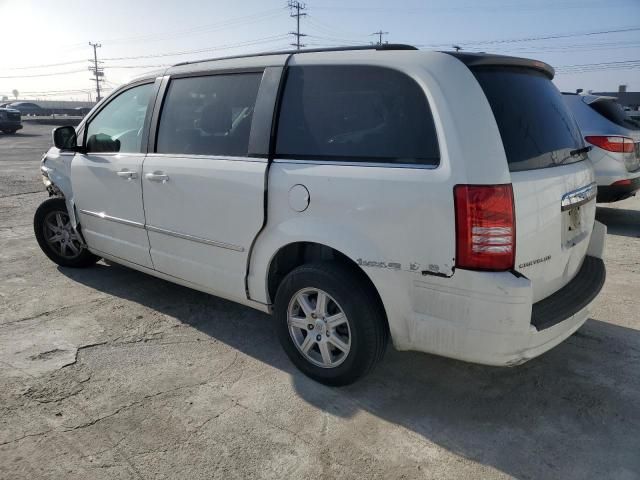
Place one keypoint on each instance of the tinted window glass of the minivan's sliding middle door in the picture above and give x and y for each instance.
(208, 115)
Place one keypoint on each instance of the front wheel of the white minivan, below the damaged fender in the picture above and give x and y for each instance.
(52, 220)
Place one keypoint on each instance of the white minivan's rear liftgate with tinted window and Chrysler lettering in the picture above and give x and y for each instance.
(553, 185)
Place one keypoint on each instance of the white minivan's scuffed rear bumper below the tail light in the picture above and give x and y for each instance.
(489, 318)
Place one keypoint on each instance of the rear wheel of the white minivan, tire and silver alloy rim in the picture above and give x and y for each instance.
(363, 335)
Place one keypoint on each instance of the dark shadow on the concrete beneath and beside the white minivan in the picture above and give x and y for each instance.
(572, 413)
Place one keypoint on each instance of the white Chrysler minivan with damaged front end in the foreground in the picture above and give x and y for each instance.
(438, 199)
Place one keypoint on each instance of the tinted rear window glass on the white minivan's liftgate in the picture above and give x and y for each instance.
(537, 128)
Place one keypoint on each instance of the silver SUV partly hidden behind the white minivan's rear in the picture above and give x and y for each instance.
(615, 138)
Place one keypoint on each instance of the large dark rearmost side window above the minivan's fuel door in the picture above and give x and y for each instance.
(355, 114)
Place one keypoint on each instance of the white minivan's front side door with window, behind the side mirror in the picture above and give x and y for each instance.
(107, 179)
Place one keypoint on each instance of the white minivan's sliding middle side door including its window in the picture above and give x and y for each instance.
(203, 194)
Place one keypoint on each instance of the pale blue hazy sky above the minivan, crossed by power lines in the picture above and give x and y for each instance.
(46, 42)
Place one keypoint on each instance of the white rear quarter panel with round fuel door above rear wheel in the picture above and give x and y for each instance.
(394, 222)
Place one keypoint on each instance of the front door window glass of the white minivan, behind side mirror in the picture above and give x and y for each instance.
(118, 126)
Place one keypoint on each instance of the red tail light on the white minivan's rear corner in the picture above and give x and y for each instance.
(485, 227)
